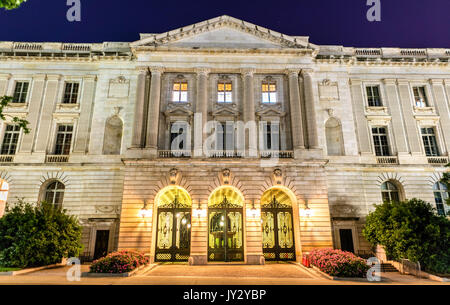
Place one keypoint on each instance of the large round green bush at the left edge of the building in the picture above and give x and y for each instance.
(40, 234)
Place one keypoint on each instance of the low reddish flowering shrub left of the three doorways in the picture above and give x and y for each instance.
(119, 262)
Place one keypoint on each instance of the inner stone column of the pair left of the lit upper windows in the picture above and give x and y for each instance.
(154, 109)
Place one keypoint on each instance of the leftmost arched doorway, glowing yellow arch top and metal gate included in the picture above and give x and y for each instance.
(173, 228)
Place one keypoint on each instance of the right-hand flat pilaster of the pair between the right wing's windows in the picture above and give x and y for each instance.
(412, 130)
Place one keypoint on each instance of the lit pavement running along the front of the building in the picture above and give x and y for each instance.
(212, 274)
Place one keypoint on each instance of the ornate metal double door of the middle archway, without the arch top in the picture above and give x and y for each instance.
(225, 242)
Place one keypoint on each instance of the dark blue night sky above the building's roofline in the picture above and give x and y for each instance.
(405, 23)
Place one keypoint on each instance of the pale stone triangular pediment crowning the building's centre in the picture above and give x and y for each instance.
(223, 32)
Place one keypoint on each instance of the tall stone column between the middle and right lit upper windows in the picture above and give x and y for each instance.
(251, 134)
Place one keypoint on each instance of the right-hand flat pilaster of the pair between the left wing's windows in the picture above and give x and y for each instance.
(46, 119)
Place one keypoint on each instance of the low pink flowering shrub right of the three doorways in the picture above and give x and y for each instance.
(338, 263)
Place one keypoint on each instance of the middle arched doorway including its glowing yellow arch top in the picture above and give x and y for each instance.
(225, 225)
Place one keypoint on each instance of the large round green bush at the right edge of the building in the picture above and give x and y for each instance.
(411, 230)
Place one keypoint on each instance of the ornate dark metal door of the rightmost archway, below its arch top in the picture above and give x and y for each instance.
(278, 231)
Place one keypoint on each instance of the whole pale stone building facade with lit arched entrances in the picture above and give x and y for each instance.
(223, 140)
